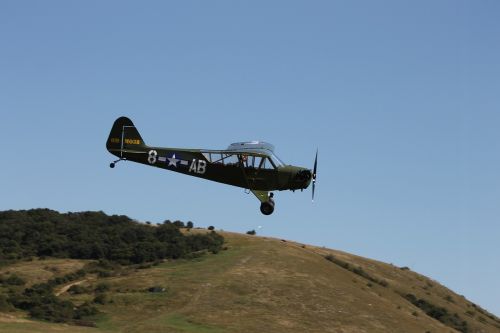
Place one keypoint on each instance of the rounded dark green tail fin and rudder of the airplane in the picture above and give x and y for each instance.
(123, 135)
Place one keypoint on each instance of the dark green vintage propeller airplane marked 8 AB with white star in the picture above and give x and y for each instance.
(250, 165)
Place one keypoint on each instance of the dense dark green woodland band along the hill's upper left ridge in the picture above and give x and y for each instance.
(95, 235)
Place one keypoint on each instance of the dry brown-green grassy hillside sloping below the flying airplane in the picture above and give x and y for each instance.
(257, 284)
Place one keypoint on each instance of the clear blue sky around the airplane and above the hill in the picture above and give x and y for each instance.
(402, 98)
